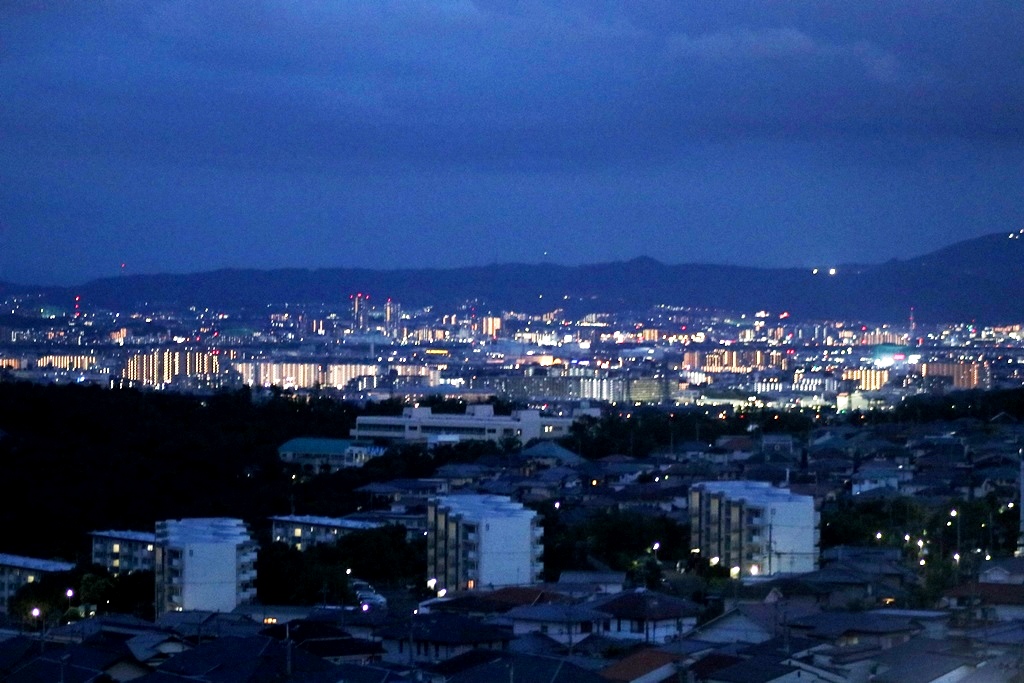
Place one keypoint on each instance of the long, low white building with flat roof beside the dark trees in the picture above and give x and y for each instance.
(480, 422)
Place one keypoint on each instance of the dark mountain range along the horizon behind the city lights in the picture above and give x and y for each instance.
(977, 280)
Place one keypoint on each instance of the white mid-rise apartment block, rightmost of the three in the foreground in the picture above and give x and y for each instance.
(754, 529)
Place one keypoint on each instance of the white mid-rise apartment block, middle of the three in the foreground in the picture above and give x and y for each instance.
(479, 541)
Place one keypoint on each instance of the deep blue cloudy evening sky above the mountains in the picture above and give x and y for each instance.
(179, 137)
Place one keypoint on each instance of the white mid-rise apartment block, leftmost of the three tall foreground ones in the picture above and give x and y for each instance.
(204, 564)
